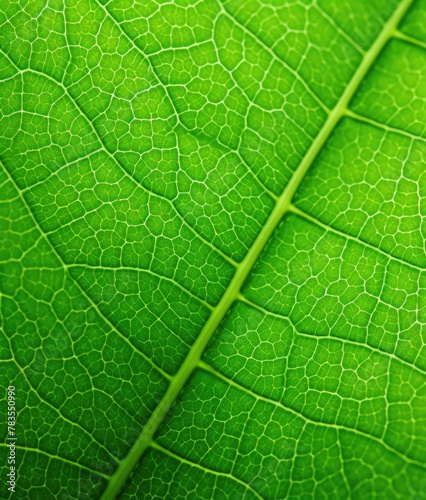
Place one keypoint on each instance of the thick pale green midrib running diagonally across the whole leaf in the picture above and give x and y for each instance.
(128, 464)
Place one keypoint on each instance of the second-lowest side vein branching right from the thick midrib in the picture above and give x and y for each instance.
(304, 417)
